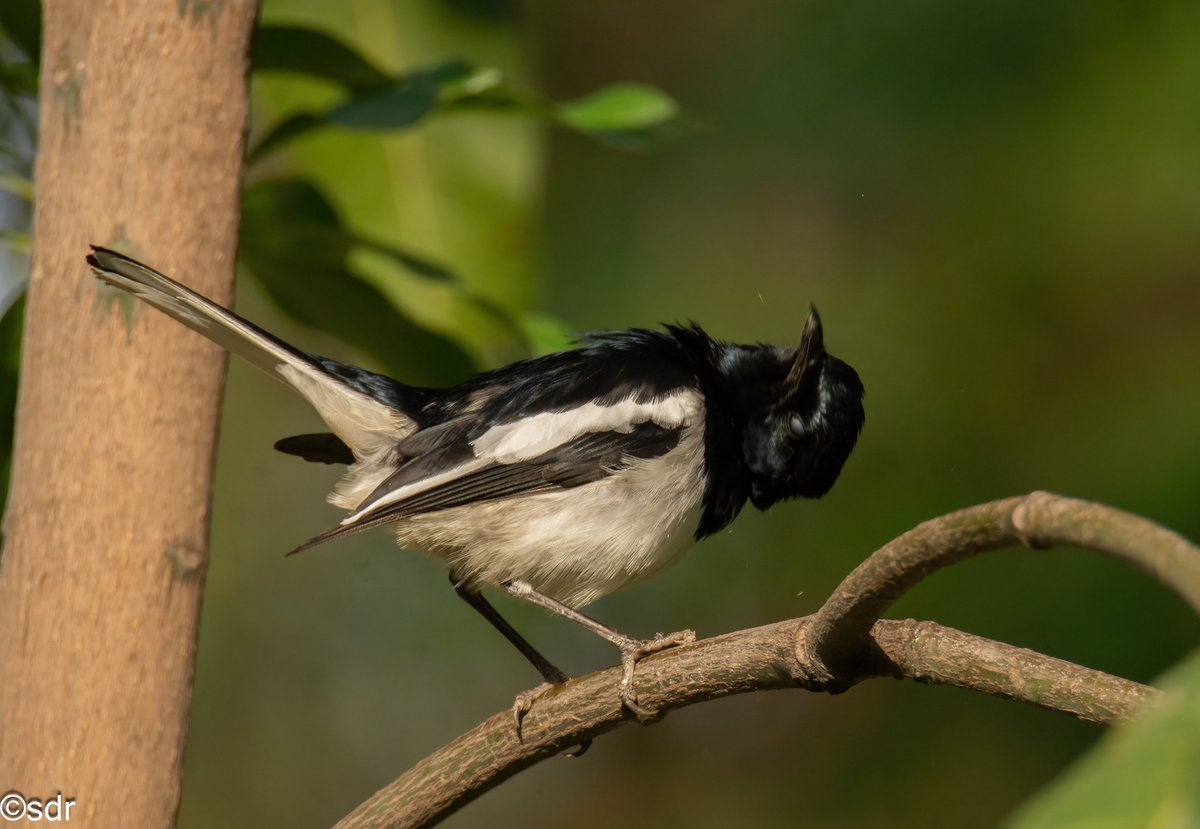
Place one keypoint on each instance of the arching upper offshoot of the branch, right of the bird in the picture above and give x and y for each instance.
(838, 636)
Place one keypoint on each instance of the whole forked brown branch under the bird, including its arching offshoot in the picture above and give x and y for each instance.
(841, 646)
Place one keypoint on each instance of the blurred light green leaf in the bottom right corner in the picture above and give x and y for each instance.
(1144, 774)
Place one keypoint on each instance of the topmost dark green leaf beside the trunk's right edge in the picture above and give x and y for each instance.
(314, 53)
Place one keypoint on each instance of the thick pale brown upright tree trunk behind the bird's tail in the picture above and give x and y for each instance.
(143, 116)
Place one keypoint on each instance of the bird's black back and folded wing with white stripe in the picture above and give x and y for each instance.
(554, 423)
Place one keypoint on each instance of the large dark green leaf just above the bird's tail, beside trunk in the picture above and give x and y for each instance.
(293, 242)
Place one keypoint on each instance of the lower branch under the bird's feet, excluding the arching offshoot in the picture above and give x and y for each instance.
(751, 660)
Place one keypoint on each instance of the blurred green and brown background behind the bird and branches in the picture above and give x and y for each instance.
(995, 208)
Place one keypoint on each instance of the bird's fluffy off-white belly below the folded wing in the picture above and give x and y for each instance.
(575, 545)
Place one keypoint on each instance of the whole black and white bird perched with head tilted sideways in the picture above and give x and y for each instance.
(565, 478)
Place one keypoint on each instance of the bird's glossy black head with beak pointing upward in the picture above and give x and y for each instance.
(800, 430)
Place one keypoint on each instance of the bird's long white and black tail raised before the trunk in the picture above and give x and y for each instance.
(365, 411)
